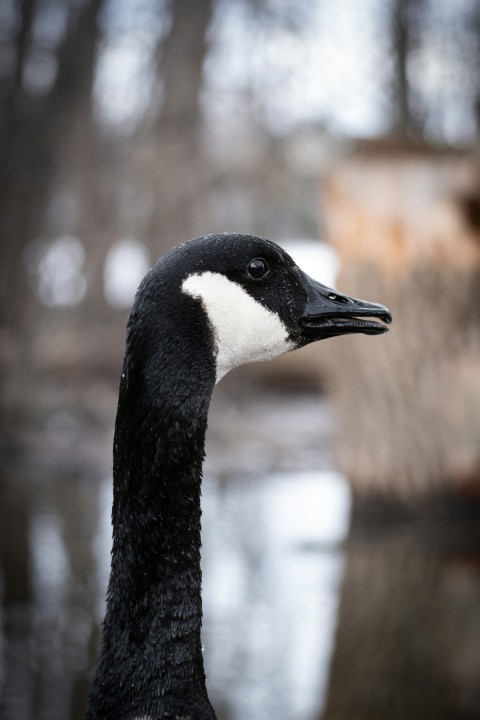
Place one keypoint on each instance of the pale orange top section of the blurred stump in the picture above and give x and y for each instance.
(396, 206)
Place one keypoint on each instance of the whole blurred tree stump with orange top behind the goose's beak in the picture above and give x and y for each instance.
(406, 224)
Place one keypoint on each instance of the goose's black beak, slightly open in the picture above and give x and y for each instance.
(329, 313)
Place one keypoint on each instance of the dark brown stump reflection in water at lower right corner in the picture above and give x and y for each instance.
(408, 640)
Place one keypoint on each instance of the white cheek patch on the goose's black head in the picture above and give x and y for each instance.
(244, 329)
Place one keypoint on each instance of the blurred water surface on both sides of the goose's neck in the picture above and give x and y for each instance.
(298, 623)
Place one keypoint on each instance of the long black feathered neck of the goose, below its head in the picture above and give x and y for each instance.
(151, 663)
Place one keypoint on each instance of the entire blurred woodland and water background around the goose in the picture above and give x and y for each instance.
(341, 502)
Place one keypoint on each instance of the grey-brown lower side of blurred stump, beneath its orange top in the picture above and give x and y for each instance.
(409, 402)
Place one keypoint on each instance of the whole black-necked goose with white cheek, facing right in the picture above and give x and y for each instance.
(207, 306)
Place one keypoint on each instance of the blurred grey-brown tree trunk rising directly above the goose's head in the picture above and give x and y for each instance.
(177, 171)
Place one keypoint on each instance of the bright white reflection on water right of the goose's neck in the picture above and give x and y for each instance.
(272, 570)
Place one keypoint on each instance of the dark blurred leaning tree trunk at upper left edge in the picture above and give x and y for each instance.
(33, 131)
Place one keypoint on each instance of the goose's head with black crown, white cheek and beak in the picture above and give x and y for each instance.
(257, 301)
